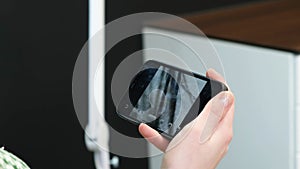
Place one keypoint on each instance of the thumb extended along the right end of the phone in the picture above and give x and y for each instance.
(220, 105)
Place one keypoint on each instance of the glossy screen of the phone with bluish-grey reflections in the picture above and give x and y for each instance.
(167, 99)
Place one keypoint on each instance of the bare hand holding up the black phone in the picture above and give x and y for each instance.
(187, 149)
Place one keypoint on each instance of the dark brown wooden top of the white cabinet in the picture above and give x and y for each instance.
(274, 24)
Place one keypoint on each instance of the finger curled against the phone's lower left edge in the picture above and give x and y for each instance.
(153, 137)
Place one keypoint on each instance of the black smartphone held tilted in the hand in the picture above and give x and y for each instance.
(166, 97)
